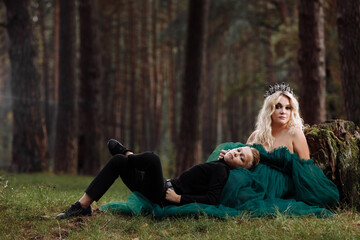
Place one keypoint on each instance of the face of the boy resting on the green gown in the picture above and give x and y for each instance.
(239, 157)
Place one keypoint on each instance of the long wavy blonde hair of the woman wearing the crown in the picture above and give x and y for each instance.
(263, 131)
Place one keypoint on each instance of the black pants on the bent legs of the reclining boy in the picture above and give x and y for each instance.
(139, 172)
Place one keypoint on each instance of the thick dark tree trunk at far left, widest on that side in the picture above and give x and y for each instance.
(29, 132)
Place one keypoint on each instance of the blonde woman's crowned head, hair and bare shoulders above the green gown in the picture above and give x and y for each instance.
(279, 123)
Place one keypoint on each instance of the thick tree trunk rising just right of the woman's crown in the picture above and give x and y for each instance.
(312, 61)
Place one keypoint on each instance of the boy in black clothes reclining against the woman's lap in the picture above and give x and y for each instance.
(142, 172)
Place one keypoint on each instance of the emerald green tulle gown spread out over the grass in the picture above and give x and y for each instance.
(281, 184)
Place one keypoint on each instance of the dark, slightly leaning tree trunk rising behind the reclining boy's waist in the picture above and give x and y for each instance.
(189, 126)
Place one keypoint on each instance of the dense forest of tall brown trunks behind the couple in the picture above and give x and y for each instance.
(174, 77)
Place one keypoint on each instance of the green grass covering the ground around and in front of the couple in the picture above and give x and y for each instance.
(30, 202)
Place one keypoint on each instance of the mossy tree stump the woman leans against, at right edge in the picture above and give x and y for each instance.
(334, 147)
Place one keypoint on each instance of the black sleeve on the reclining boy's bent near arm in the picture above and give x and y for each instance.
(216, 184)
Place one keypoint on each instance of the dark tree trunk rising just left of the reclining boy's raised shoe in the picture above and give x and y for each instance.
(90, 127)
